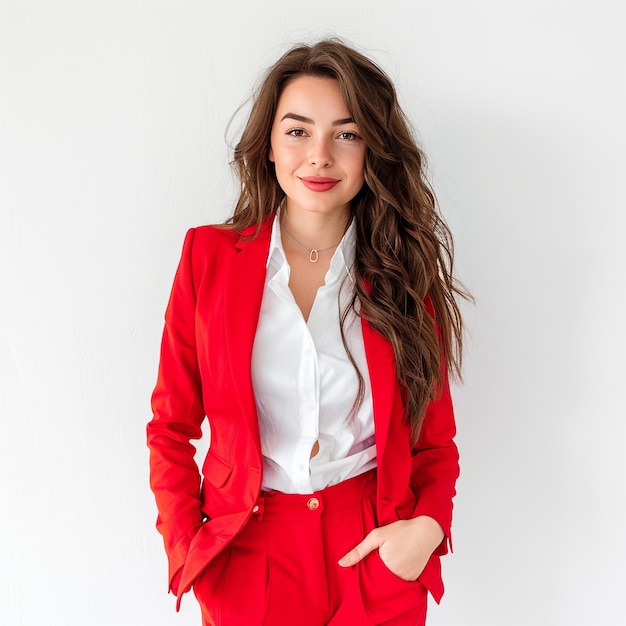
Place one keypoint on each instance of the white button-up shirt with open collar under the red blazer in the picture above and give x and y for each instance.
(304, 383)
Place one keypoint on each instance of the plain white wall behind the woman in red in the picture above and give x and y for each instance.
(112, 120)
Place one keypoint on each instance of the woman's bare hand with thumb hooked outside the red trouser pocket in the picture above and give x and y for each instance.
(404, 546)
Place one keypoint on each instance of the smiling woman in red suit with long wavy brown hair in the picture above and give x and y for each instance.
(315, 331)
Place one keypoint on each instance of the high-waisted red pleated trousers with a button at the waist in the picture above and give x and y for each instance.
(281, 570)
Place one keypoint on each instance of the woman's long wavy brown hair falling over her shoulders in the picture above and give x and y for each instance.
(404, 249)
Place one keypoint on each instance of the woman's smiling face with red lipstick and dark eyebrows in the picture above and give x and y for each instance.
(316, 147)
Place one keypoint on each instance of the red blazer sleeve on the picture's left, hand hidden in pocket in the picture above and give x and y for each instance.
(177, 417)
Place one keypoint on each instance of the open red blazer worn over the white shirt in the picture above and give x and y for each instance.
(204, 370)
